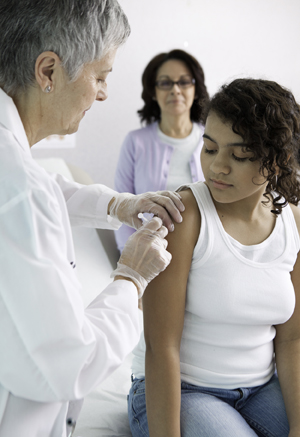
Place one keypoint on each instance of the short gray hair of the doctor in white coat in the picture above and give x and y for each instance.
(79, 32)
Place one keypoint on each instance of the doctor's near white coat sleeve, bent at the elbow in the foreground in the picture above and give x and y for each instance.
(51, 348)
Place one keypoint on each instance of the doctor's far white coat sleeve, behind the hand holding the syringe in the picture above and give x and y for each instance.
(87, 204)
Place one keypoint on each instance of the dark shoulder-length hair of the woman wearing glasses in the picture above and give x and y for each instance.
(151, 111)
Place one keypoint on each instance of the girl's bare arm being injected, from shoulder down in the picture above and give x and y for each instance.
(164, 306)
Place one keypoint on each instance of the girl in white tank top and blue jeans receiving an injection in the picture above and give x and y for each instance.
(227, 308)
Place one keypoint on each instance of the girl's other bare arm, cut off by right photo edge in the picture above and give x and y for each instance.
(287, 352)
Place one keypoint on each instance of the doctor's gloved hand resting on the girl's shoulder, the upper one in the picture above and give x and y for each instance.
(164, 204)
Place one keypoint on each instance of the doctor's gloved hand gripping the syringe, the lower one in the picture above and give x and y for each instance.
(144, 255)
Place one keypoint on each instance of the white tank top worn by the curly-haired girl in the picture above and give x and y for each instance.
(235, 296)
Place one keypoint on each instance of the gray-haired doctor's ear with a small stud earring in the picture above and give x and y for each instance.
(45, 66)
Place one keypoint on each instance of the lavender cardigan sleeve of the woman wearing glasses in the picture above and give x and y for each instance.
(124, 183)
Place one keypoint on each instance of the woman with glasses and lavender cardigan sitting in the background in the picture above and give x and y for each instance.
(165, 153)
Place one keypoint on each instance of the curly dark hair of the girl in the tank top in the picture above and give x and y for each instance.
(267, 117)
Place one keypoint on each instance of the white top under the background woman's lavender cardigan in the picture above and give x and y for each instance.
(179, 170)
